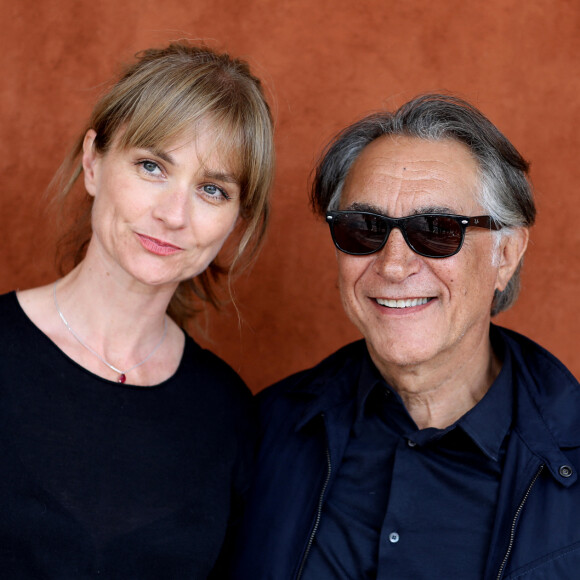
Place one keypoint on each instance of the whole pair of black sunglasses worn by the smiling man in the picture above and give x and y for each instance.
(432, 235)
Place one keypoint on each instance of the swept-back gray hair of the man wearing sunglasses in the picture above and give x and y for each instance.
(505, 192)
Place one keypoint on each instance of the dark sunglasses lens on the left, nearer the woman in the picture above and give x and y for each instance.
(358, 233)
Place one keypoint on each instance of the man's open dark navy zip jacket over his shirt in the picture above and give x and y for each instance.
(306, 420)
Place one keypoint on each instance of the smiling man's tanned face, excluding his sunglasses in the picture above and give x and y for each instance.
(445, 310)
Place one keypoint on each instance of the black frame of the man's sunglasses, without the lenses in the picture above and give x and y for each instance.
(481, 221)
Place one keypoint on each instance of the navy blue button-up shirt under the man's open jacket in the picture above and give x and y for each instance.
(409, 503)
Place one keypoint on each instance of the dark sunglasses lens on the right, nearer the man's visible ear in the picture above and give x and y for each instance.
(435, 236)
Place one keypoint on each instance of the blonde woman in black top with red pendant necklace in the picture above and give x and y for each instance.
(125, 444)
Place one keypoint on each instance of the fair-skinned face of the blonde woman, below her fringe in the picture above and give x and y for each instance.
(160, 216)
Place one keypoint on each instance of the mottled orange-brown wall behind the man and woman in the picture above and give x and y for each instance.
(325, 63)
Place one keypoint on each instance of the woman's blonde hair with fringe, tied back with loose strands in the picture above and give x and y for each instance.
(164, 94)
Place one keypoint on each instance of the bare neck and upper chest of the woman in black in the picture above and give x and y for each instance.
(121, 320)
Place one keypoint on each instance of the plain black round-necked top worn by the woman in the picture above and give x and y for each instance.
(115, 481)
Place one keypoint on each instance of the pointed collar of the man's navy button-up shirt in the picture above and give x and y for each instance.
(486, 424)
